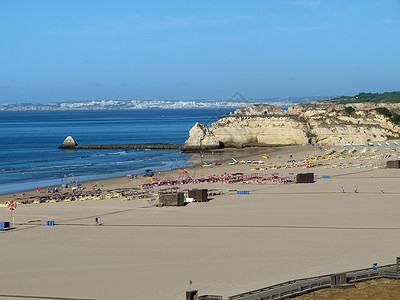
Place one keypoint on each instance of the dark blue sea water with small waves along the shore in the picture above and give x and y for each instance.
(30, 158)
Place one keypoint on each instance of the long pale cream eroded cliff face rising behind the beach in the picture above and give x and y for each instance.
(333, 127)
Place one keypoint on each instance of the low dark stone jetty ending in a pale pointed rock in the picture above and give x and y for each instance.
(70, 143)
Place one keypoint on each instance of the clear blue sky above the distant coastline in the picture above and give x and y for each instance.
(102, 49)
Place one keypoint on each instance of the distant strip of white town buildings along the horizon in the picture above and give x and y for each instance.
(152, 104)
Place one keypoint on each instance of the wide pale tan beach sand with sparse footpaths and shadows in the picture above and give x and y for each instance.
(232, 244)
